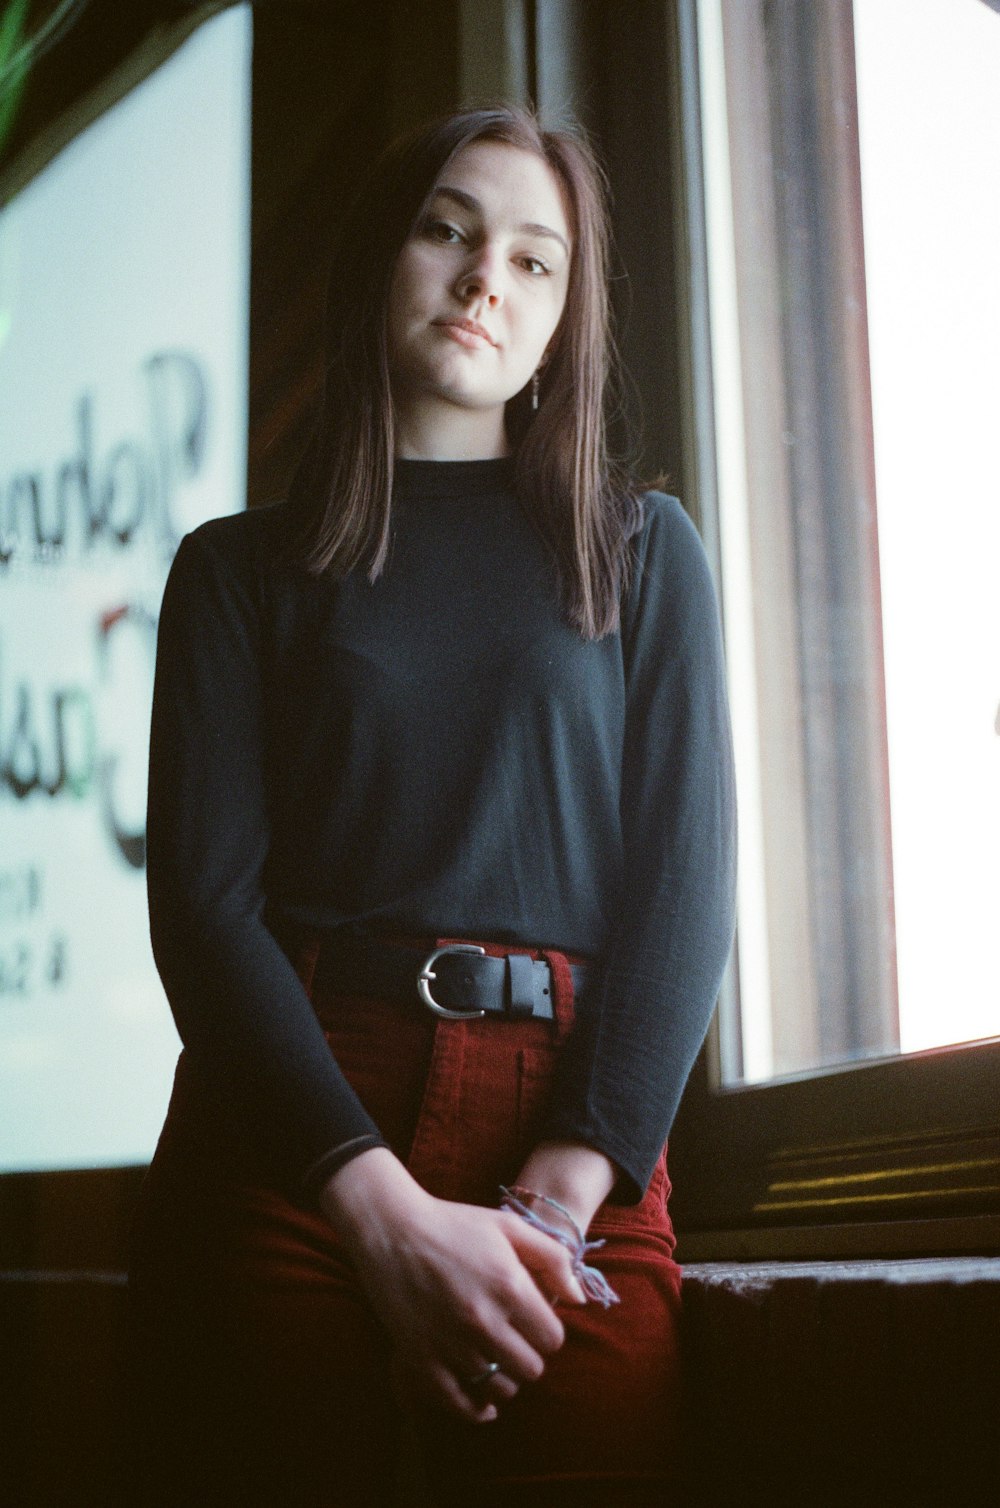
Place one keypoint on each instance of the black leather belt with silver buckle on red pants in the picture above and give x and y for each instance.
(458, 981)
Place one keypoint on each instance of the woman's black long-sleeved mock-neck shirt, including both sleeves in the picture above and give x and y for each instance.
(440, 753)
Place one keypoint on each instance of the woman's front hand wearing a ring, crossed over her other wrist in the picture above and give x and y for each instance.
(458, 1287)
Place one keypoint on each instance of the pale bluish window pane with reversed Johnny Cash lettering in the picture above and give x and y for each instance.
(124, 274)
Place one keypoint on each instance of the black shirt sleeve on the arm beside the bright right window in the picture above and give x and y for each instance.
(636, 1040)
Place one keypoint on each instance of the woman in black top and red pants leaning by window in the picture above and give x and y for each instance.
(462, 688)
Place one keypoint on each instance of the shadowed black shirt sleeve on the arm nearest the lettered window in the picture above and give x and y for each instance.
(241, 1008)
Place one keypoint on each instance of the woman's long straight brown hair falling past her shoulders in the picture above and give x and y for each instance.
(581, 501)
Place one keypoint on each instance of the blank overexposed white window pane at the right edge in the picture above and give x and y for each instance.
(930, 130)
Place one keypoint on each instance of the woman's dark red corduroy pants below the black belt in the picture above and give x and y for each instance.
(262, 1376)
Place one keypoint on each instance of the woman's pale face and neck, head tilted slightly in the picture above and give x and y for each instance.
(476, 298)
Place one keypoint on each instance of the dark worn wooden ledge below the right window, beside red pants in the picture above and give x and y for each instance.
(863, 1382)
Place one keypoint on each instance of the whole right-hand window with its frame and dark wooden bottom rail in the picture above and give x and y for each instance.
(847, 337)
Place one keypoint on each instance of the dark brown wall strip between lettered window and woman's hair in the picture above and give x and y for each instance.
(333, 84)
